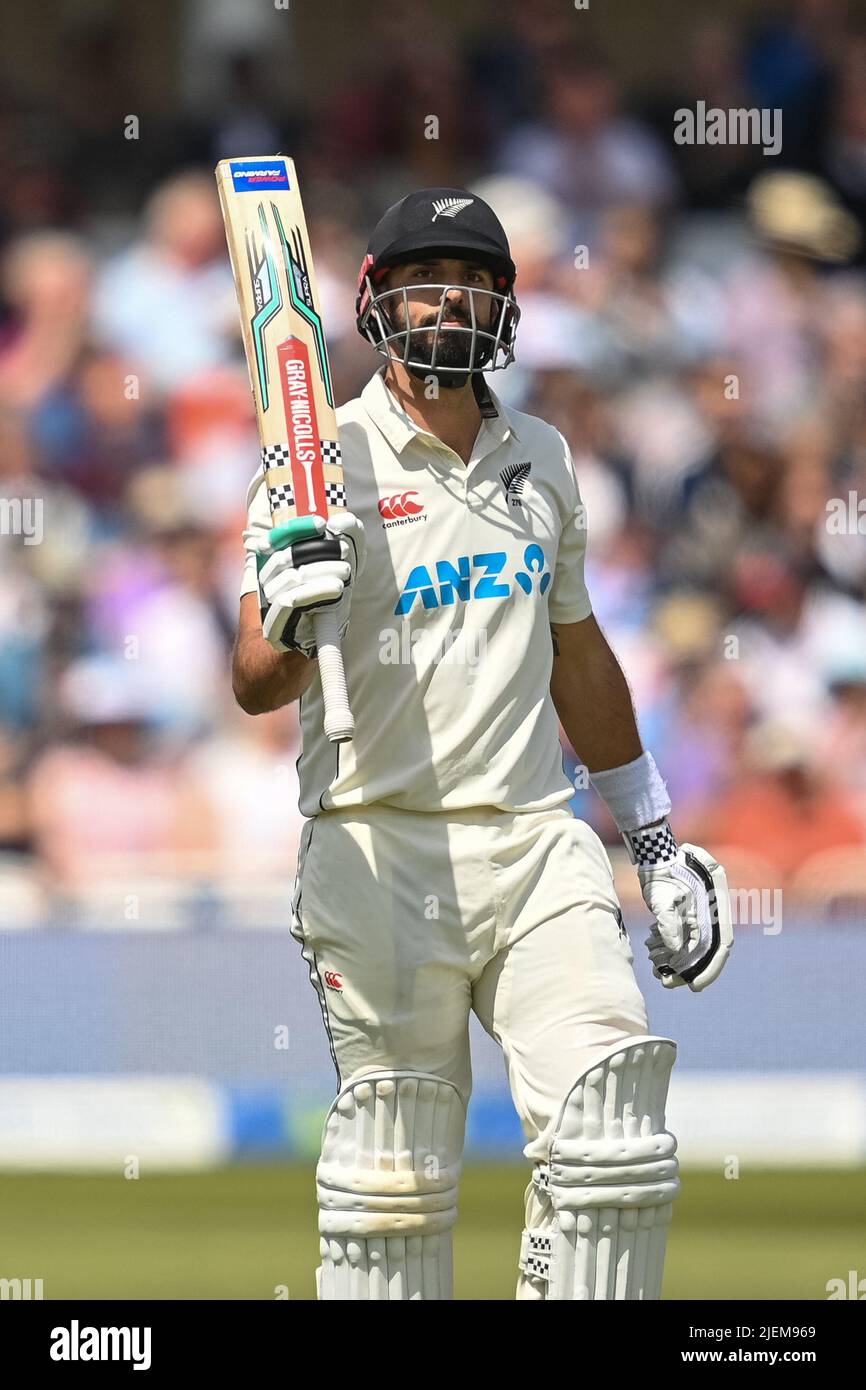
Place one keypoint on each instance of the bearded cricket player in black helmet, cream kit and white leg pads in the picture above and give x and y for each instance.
(441, 868)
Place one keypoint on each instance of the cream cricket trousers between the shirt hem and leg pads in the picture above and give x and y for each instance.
(411, 921)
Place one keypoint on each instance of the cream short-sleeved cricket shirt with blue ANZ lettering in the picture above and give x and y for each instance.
(448, 654)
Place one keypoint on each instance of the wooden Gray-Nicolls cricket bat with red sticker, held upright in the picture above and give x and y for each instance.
(288, 362)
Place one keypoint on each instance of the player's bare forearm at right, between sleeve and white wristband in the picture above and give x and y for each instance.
(593, 700)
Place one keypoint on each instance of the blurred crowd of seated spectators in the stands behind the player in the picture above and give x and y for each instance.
(694, 322)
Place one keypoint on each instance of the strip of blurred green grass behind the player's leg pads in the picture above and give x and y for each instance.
(241, 1232)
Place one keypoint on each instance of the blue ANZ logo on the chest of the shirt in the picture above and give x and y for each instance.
(473, 578)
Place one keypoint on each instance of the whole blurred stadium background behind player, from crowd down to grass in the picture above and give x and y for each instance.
(163, 1071)
